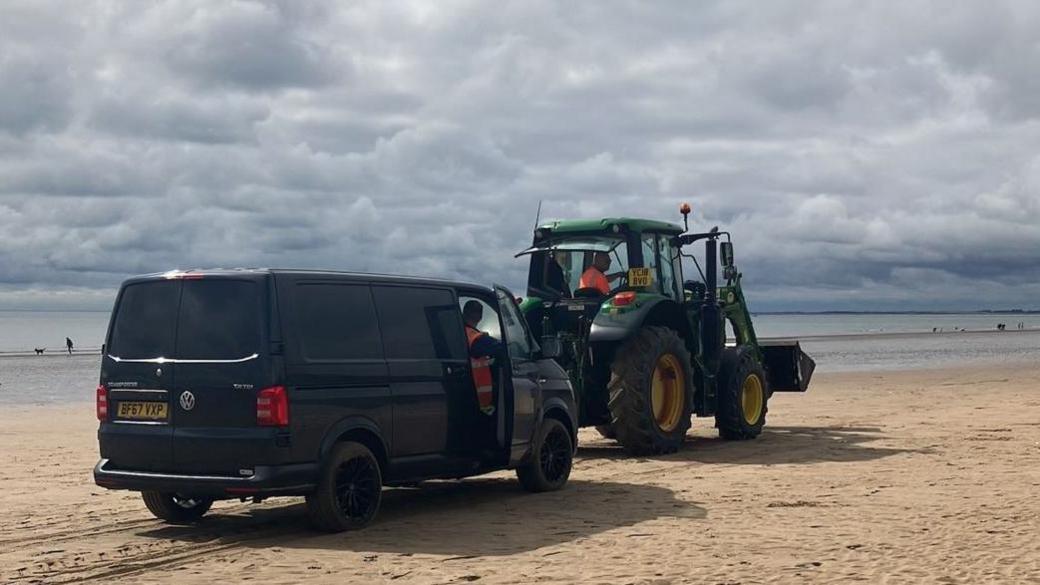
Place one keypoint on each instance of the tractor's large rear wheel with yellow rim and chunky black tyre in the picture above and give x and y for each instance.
(652, 393)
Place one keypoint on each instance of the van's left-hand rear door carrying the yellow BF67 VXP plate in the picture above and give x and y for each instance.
(139, 378)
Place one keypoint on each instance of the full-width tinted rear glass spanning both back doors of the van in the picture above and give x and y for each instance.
(207, 319)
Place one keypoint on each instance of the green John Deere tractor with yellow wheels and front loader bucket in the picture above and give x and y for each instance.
(645, 349)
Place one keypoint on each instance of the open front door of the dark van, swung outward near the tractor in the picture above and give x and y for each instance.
(523, 377)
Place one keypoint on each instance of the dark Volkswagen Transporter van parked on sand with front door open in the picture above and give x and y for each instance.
(252, 384)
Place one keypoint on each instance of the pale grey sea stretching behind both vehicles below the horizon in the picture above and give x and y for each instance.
(839, 343)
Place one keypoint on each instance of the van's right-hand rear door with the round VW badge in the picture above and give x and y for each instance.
(221, 368)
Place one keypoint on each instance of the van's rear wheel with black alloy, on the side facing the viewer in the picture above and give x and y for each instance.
(349, 492)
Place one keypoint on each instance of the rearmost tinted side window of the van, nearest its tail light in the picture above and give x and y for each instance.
(336, 322)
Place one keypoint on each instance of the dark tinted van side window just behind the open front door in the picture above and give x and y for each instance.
(420, 323)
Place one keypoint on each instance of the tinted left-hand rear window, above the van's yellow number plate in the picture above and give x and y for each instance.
(145, 321)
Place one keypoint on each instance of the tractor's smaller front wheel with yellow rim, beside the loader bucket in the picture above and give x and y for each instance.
(744, 393)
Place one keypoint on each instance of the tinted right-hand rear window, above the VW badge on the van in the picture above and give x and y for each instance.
(220, 319)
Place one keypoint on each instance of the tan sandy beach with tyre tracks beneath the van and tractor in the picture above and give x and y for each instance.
(911, 477)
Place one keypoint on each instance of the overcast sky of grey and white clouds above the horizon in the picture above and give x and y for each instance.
(865, 156)
